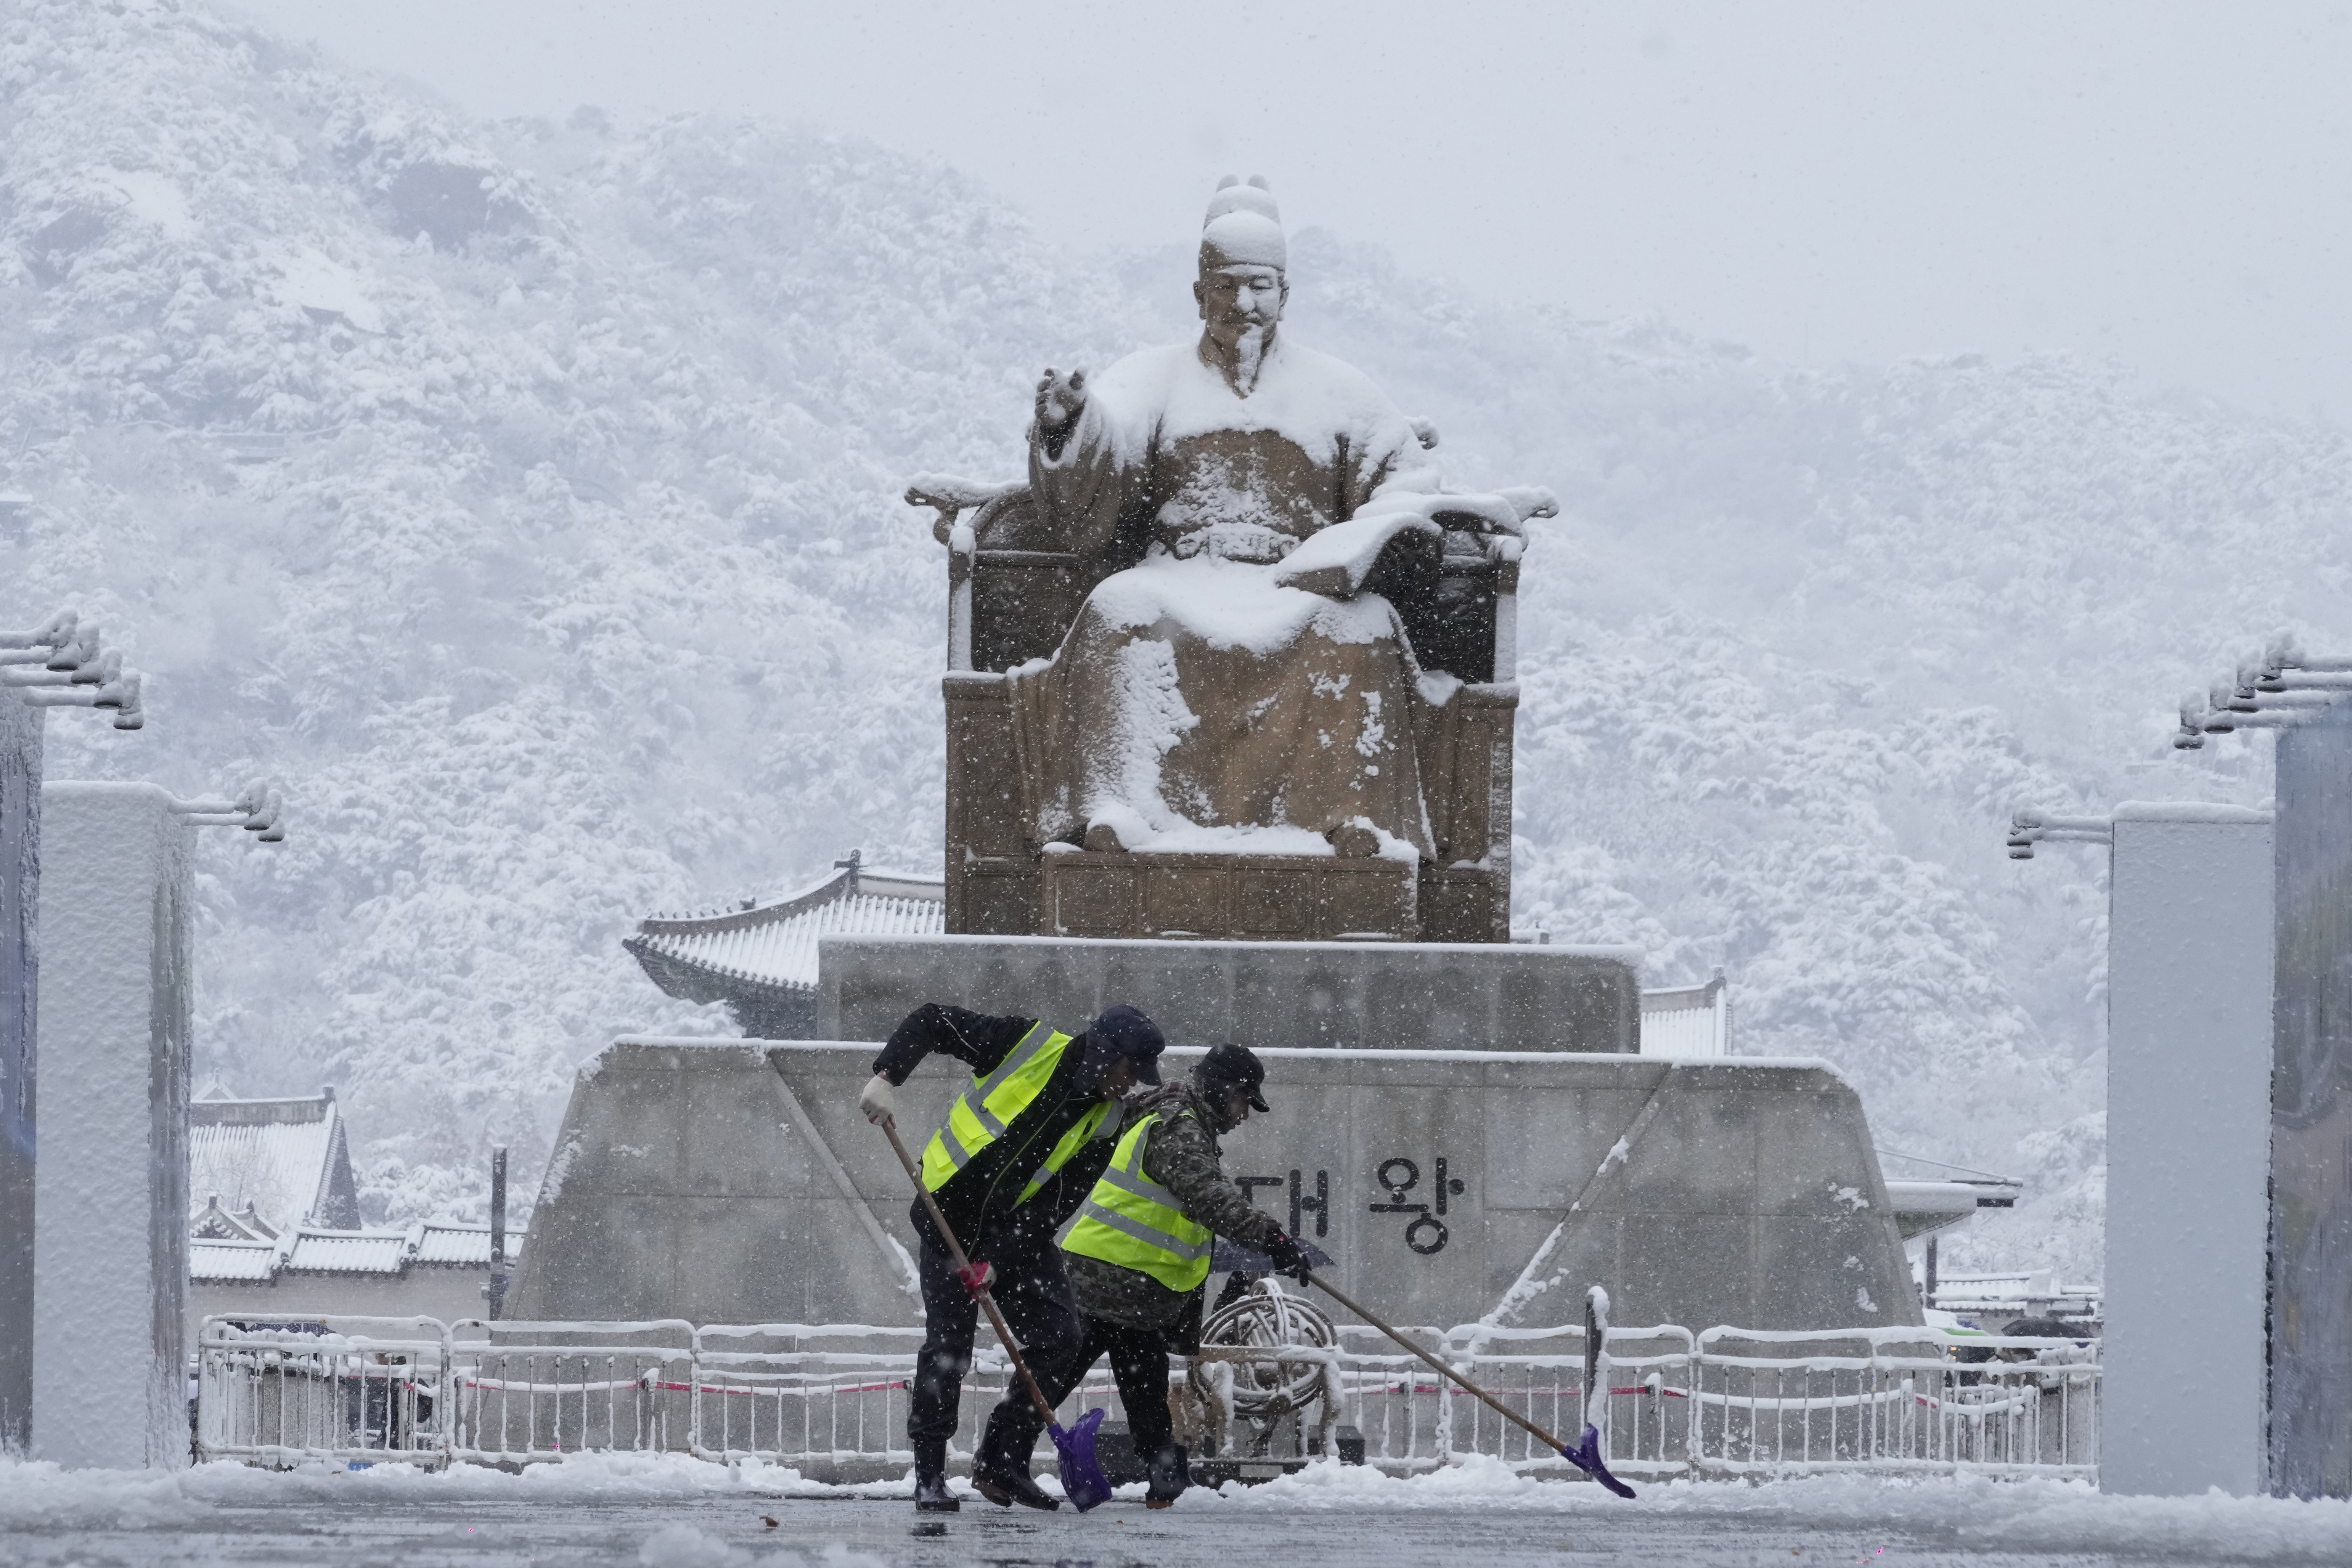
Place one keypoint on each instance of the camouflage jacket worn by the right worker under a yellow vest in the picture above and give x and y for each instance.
(1182, 1158)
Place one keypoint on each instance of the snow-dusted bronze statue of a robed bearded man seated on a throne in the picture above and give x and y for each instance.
(1238, 629)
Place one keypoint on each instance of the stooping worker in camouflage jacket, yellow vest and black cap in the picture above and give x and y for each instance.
(1140, 1261)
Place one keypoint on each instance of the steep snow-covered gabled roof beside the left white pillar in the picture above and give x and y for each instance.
(288, 1160)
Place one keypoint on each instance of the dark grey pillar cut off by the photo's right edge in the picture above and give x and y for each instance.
(2311, 1118)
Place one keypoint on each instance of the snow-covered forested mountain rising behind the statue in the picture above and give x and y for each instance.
(523, 497)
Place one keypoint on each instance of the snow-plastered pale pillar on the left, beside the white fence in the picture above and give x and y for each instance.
(112, 1198)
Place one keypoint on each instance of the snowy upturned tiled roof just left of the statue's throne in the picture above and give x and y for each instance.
(773, 946)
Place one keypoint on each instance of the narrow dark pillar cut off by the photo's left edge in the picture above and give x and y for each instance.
(20, 899)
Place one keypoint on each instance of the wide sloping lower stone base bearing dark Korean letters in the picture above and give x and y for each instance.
(737, 1184)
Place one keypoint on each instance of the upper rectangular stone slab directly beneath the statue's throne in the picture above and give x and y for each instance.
(1361, 996)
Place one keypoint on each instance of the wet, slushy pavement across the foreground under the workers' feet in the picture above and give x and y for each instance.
(1730, 1527)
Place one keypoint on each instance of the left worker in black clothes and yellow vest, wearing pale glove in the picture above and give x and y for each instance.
(1015, 1160)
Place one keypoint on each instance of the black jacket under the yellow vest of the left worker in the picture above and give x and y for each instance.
(984, 1200)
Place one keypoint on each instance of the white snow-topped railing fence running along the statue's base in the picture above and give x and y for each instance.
(831, 1400)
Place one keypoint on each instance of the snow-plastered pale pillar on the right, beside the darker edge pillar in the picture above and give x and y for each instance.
(2189, 1151)
